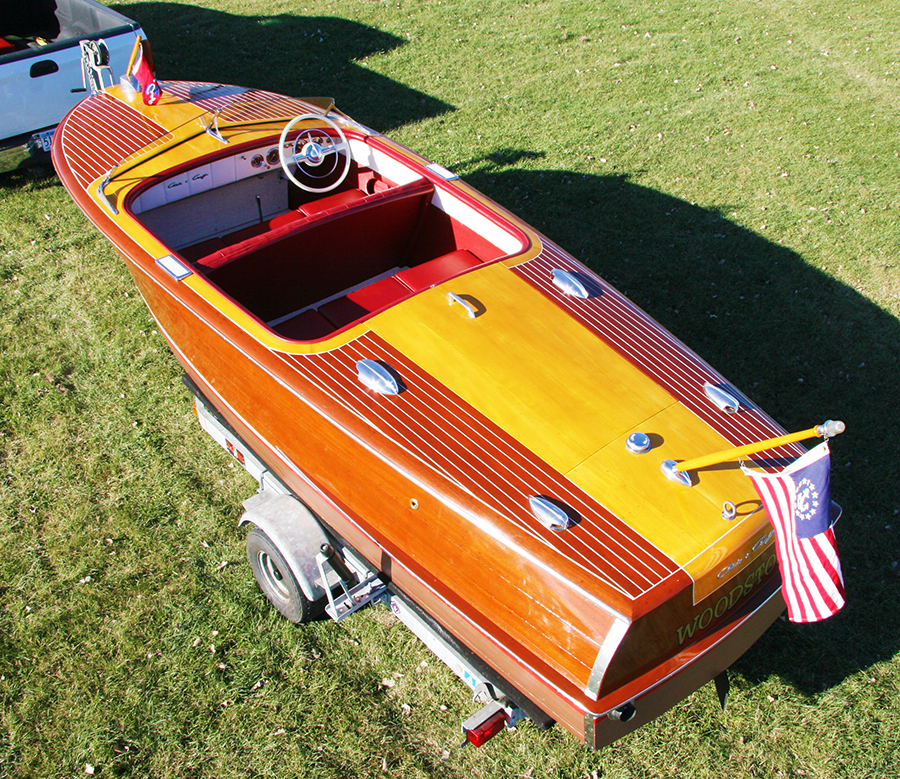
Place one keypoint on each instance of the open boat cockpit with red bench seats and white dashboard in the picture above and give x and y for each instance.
(317, 229)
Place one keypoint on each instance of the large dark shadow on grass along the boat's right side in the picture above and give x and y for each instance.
(801, 344)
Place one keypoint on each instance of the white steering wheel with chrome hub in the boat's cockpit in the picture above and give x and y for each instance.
(316, 154)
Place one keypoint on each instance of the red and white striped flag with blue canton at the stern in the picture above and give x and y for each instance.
(798, 502)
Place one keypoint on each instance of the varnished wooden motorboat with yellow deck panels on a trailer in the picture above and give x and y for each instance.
(475, 413)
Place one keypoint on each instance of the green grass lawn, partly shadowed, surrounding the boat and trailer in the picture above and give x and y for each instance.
(732, 167)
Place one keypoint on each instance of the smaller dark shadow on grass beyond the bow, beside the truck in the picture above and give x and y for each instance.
(303, 56)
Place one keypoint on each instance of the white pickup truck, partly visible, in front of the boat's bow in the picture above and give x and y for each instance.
(40, 68)
